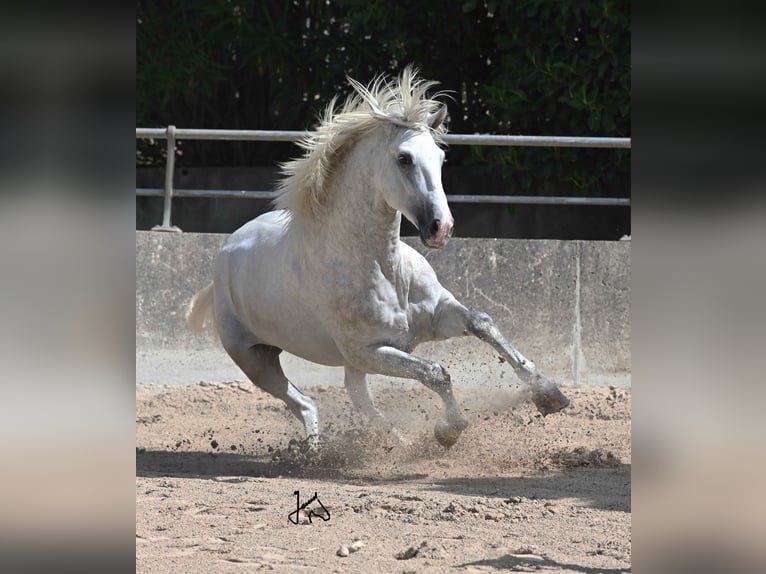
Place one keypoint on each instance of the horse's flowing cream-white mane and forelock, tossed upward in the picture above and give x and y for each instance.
(305, 182)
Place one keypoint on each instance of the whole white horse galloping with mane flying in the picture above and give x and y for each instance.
(325, 276)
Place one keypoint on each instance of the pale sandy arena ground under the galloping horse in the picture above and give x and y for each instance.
(216, 475)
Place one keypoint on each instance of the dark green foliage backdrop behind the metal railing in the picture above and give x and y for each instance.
(525, 67)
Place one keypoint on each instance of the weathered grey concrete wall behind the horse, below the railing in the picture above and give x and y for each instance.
(563, 304)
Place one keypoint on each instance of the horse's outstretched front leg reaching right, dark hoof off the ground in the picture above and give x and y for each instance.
(453, 320)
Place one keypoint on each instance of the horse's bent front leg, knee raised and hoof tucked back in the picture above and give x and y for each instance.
(392, 362)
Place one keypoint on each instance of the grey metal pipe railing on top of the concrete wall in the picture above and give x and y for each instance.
(172, 134)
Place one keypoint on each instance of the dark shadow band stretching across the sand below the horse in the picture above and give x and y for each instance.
(605, 488)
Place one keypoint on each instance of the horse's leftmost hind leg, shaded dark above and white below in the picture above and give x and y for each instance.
(261, 364)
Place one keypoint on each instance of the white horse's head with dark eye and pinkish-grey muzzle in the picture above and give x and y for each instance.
(416, 189)
